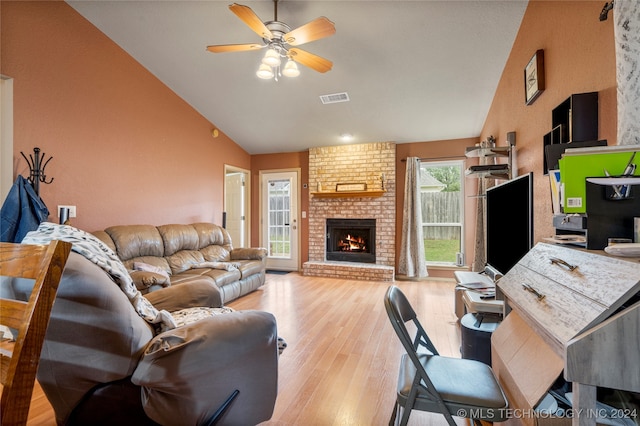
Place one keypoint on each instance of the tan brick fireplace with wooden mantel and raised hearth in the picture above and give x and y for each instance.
(374, 166)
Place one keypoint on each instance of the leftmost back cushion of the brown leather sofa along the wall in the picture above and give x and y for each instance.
(136, 240)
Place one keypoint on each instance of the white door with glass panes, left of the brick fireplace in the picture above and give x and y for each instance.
(280, 219)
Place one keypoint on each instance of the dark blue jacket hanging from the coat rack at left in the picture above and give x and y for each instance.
(22, 211)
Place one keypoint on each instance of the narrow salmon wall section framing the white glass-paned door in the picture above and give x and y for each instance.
(275, 162)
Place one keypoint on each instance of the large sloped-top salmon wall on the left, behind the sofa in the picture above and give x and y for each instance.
(126, 149)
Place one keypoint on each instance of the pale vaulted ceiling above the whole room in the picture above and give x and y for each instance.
(414, 71)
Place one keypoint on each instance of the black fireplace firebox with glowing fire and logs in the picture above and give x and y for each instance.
(351, 240)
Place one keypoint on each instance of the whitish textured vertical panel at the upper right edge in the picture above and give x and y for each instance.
(627, 38)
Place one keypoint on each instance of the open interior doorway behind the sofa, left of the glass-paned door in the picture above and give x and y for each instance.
(236, 205)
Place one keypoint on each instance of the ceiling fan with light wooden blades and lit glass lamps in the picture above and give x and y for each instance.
(281, 41)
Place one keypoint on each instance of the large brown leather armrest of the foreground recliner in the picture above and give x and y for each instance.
(187, 373)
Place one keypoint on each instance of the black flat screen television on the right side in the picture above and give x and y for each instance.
(509, 208)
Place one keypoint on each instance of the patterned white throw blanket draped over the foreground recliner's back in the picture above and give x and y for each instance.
(97, 252)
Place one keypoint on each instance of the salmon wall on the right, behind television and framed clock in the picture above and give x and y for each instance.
(579, 56)
